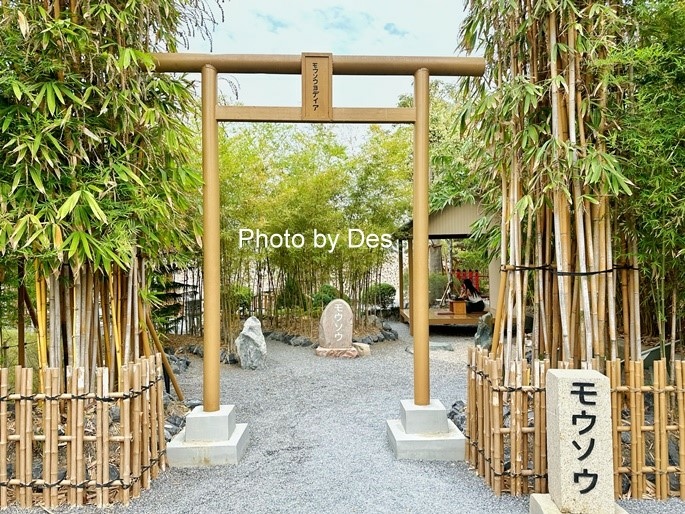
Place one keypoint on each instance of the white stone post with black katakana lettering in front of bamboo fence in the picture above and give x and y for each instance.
(579, 445)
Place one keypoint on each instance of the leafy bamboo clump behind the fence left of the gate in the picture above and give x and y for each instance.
(97, 179)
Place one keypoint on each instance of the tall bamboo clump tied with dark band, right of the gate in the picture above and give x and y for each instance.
(546, 136)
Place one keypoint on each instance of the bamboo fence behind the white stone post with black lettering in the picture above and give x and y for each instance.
(506, 427)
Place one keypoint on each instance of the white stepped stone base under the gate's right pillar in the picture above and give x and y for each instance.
(423, 432)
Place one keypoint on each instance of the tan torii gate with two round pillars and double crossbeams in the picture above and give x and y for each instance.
(317, 70)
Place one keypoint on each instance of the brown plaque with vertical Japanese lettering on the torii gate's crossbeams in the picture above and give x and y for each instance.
(317, 87)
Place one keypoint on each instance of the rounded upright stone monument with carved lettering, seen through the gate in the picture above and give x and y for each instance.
(335, 331)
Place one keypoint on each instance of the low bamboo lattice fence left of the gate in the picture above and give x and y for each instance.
(66, 447)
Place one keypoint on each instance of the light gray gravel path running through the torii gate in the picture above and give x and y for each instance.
(319, 445)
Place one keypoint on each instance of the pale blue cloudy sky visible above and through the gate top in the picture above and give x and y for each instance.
(341, 27)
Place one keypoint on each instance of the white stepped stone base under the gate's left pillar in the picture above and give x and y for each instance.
(209, 439)
